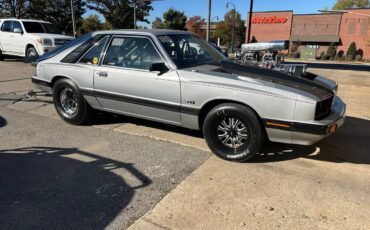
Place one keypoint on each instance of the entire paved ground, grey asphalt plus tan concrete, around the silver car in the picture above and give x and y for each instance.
(124, 172)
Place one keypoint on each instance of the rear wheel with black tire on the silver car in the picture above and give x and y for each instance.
(76, 111)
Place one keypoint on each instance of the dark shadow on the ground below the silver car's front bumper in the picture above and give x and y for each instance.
(350, 144)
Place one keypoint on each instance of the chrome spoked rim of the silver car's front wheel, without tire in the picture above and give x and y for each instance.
(232, 132)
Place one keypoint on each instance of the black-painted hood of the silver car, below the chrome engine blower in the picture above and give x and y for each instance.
(265, 76)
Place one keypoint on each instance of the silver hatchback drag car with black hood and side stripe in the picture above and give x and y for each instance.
(177, 78)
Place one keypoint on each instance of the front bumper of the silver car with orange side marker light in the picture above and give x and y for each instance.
(310, 132)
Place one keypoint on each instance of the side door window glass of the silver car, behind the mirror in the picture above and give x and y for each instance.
(132, 52)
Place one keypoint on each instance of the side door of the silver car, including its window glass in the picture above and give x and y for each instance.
(123, 82)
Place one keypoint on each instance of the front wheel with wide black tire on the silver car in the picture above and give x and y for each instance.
(225, 123)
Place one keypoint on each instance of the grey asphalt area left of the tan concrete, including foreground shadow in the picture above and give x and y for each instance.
(57, 176)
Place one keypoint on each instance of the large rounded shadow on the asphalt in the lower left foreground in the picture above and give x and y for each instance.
(62, 188)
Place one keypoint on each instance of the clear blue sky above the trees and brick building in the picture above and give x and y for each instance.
(199, 7)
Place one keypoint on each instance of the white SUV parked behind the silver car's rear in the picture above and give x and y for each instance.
(27, 38)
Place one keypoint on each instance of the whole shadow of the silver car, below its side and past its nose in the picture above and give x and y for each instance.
(349, 144)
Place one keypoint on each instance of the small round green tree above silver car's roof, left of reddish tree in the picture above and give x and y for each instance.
(174, 19)
